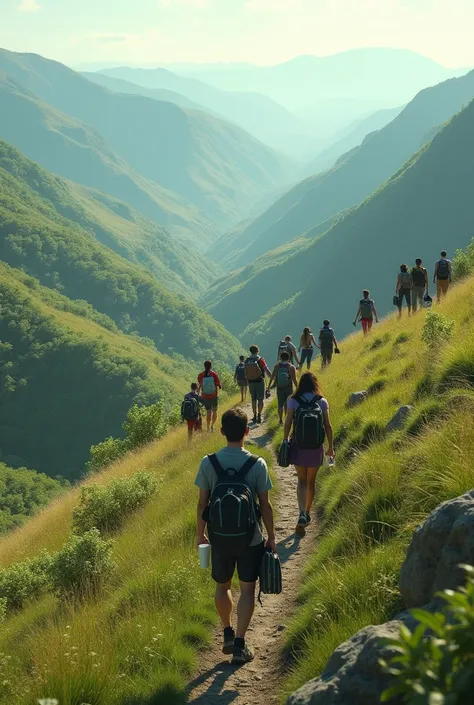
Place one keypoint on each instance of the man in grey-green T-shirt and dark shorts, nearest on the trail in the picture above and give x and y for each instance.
(218, 492)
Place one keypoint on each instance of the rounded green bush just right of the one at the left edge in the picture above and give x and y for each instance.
(83, 566)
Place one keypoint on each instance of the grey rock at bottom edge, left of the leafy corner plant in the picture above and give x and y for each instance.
(353, 675)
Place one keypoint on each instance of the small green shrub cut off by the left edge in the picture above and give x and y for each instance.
(25, 581)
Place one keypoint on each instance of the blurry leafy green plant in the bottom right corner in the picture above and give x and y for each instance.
(434, 665)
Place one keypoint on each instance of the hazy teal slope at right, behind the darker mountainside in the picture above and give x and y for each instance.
(355, 177)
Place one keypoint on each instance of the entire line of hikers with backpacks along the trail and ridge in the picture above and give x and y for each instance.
(234, 485)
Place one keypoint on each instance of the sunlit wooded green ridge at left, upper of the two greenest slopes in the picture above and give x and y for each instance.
(37, 235)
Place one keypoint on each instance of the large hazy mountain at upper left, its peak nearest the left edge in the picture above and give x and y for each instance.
(211, 163)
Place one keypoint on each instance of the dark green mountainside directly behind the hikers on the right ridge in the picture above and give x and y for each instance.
(425, 206)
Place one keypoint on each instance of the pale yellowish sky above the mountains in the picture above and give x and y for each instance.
(258, 31)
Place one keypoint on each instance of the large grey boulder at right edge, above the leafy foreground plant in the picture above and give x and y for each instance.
(439, 545)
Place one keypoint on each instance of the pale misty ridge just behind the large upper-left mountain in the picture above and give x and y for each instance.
(258, 114)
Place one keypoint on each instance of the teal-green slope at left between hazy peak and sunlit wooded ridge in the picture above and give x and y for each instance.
(70, 148)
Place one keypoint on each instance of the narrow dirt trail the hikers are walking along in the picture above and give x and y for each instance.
(219, 683)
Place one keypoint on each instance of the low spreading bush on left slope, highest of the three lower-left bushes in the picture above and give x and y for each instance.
(107, 507)
